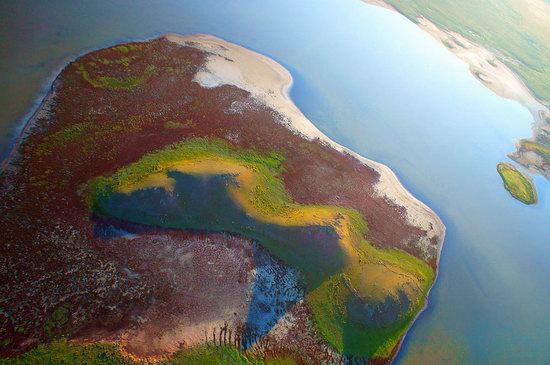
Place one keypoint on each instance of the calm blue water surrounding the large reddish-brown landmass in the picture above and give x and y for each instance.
(373, 81)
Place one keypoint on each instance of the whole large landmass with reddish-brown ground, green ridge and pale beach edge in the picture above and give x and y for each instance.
(168, 202)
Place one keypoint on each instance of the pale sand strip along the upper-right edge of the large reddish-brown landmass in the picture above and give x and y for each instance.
(269, 83)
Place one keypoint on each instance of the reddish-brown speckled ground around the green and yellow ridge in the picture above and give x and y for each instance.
(153, 290)
